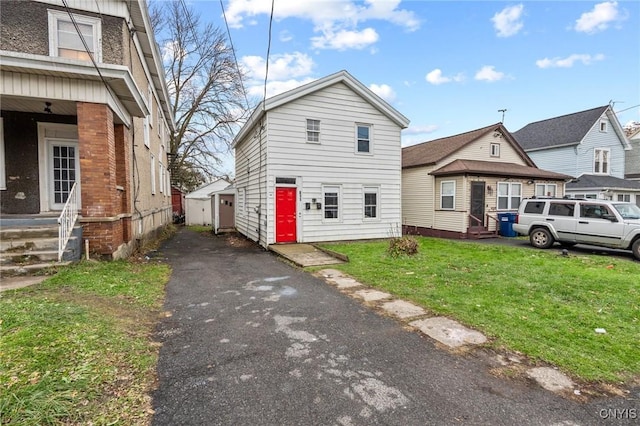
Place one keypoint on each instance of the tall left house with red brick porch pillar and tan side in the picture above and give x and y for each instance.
(84, 101)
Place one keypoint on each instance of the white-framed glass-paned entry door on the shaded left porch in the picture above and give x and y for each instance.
(63, 170)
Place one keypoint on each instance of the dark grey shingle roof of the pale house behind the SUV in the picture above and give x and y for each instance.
(565, 130)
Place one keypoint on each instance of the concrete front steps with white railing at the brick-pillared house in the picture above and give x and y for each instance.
(29, 245)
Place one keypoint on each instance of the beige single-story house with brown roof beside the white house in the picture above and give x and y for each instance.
(459, 185)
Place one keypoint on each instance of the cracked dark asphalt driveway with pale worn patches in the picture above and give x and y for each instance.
(250, 340)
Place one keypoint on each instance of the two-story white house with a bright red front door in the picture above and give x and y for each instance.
(321, 162)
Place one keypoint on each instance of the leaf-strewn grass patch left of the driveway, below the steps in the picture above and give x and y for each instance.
(76, 349)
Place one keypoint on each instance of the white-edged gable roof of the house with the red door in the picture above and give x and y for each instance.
(304, 90)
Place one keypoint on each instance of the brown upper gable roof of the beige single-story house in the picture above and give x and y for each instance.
(431, 153)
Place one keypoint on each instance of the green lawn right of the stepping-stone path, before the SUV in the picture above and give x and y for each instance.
(535, 302)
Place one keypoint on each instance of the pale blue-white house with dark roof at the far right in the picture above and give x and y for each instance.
(589, 145)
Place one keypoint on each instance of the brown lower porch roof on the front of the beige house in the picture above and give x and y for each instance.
(492, 168)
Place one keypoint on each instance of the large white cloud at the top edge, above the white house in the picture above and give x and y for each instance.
(336, 22)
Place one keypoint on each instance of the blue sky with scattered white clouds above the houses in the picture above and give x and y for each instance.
(449, 66)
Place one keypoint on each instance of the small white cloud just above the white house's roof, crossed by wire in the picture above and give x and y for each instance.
(281, 67)
